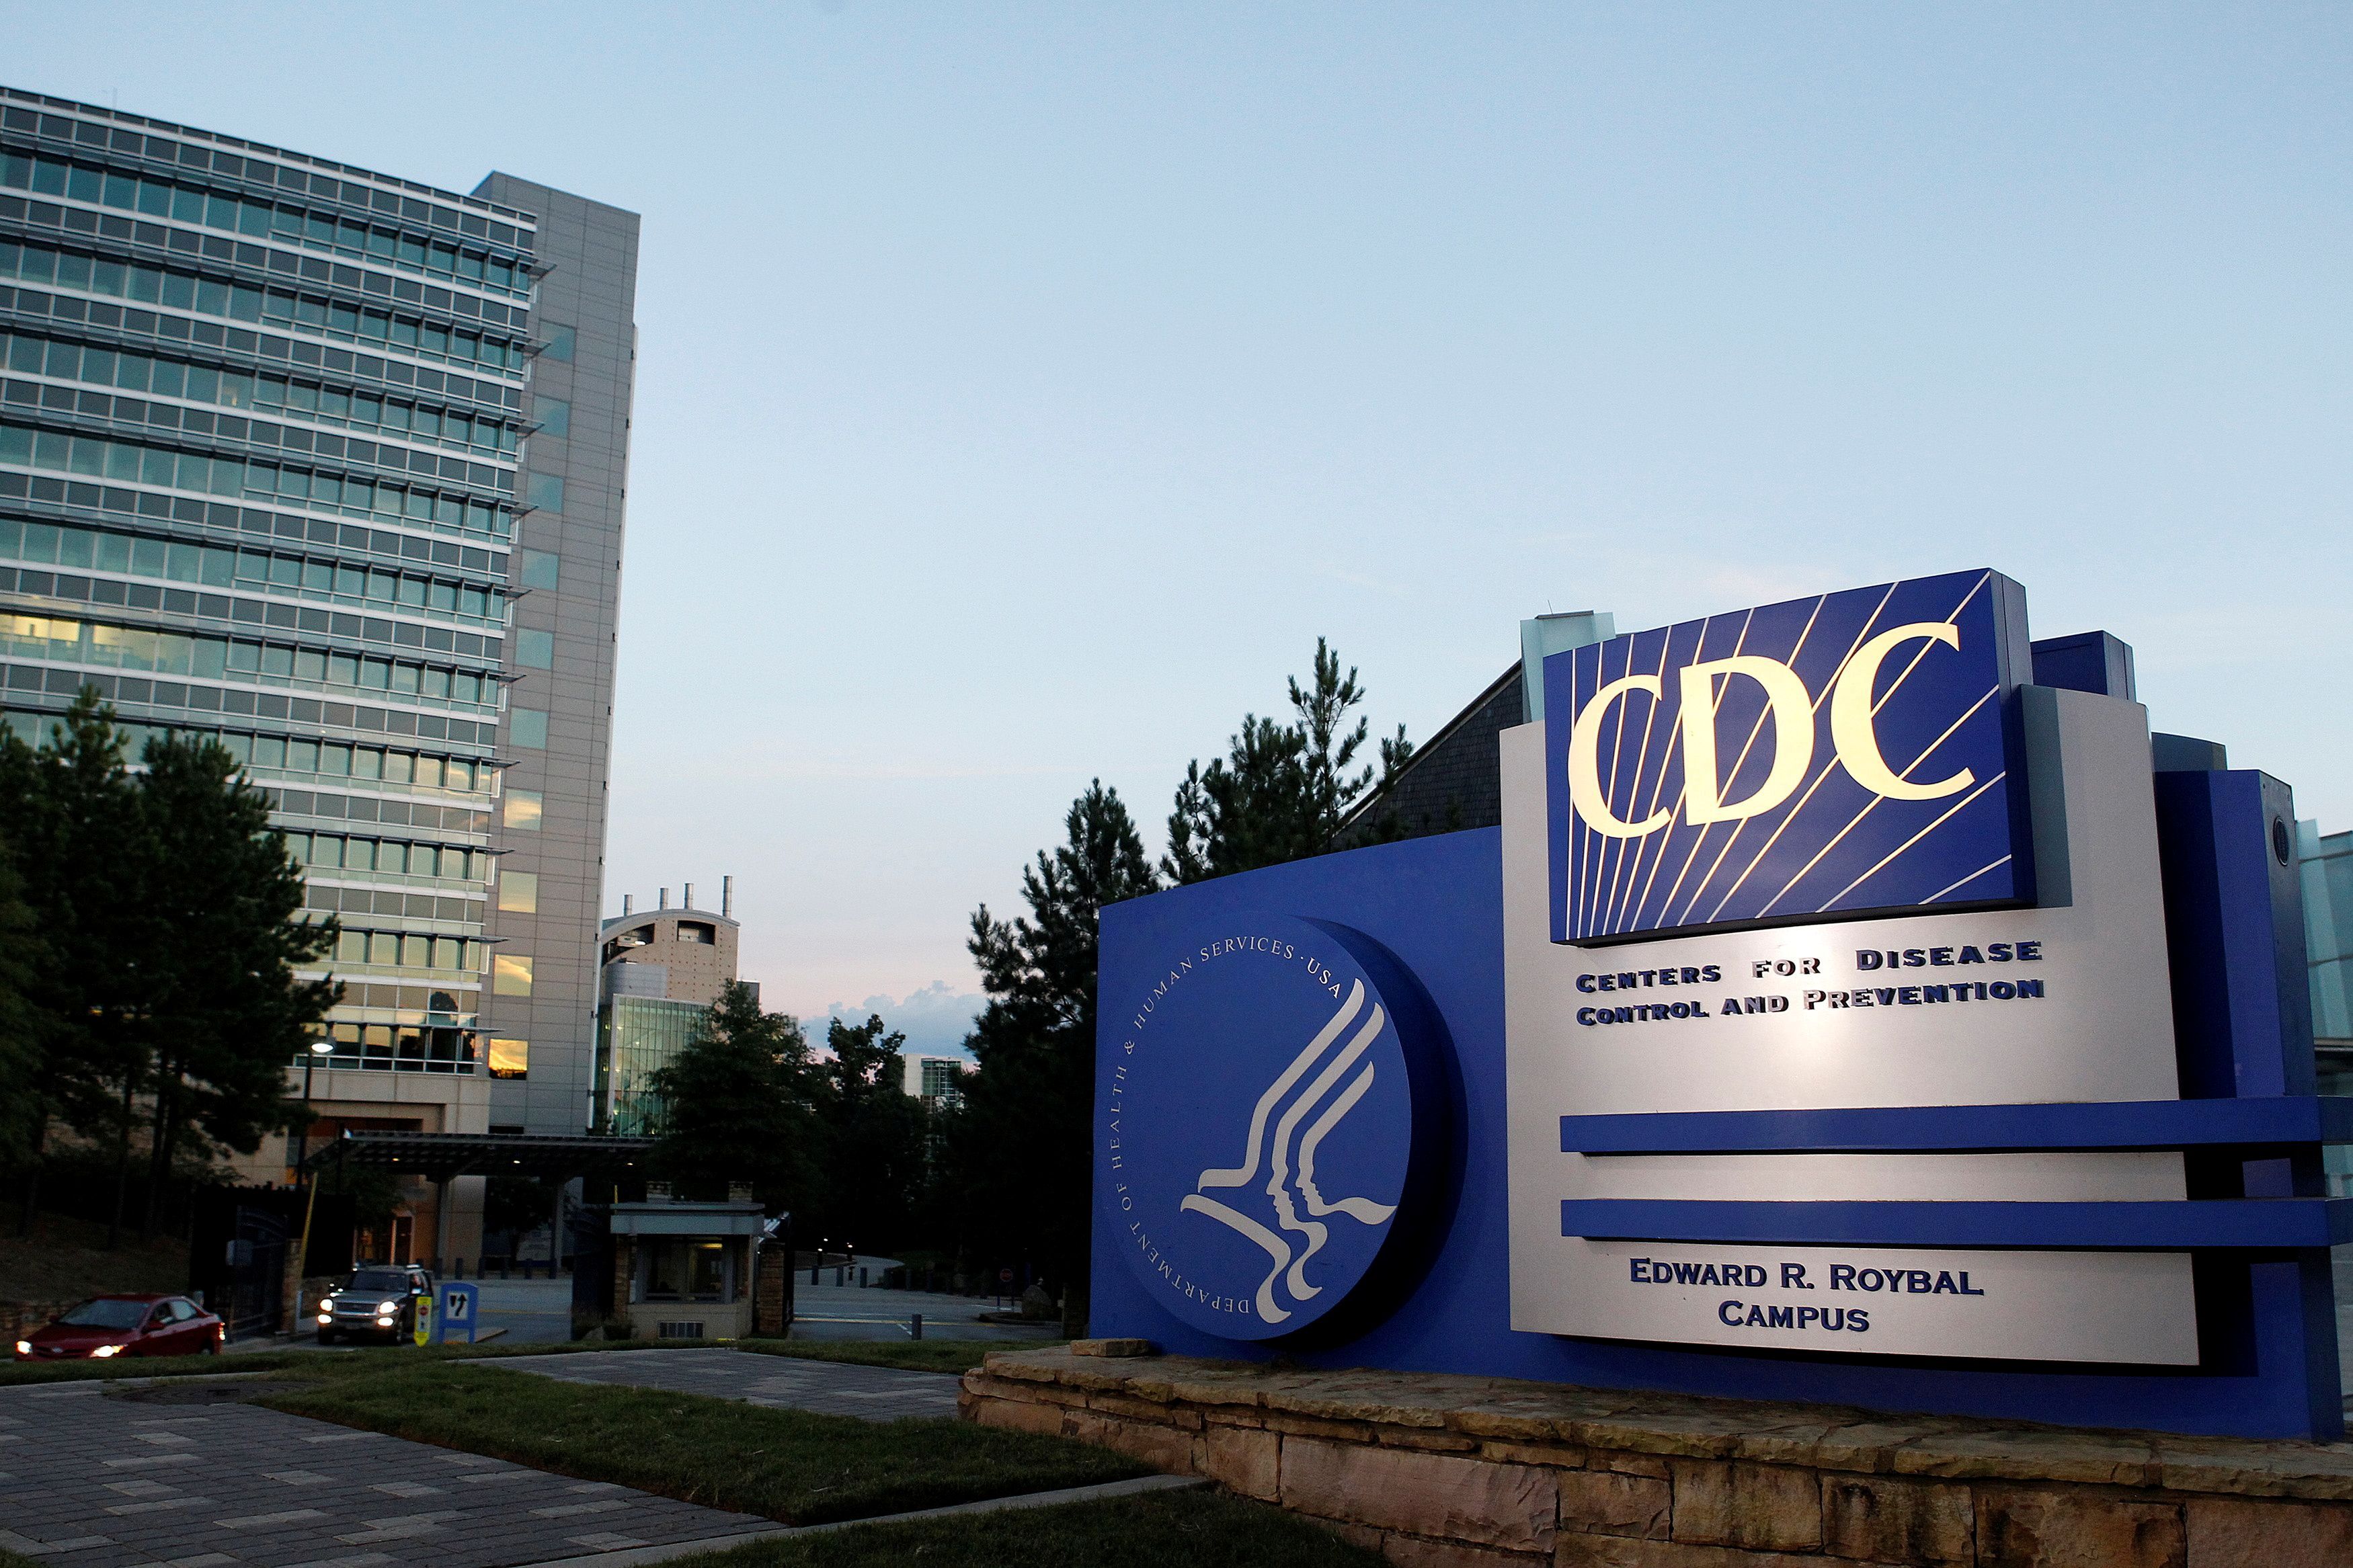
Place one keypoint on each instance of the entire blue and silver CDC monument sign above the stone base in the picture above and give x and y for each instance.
(1855, 1003)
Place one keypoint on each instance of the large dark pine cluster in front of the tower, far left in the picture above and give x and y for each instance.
(161, 986)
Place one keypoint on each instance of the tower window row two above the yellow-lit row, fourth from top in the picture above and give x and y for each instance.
(192, 471)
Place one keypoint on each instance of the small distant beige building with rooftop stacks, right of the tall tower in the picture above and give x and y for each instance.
(662, 970)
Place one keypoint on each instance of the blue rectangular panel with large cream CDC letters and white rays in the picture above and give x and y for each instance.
(1794, 763)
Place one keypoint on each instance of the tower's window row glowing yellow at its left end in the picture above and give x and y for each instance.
(67, 641)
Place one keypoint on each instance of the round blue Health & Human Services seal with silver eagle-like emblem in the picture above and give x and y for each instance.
(1272, 1127)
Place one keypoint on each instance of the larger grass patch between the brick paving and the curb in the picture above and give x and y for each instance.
(789, 1466)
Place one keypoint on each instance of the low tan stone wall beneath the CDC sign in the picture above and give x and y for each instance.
(1488, 1473)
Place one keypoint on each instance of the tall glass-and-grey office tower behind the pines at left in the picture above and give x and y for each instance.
(326, 464)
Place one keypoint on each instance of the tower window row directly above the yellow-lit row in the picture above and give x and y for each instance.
(255, 570)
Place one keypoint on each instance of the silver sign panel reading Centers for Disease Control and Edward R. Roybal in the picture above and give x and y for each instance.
(2044, 1005)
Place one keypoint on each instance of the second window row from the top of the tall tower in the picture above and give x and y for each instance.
(244, 302)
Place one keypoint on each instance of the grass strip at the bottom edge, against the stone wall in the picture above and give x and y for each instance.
(1194, 1529)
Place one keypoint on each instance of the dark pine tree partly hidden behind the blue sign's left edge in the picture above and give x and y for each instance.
(1020, 1141)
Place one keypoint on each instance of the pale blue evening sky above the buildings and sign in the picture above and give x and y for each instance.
(1025, 389)
